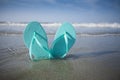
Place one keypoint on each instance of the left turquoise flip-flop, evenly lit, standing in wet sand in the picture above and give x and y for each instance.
(36, 41)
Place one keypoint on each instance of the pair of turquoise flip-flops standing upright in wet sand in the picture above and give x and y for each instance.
(36, 41)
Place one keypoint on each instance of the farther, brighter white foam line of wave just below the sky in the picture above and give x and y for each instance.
(54, 24)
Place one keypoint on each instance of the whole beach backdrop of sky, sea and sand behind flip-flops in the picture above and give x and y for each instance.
(94, 56)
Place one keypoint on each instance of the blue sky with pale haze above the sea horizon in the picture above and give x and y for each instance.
(84, 11)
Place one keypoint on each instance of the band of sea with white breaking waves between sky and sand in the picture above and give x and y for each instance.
(84, 29)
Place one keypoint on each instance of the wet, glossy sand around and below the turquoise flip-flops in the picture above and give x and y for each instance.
(91, 58)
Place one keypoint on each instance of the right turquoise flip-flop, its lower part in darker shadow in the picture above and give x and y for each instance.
(64, 39)
